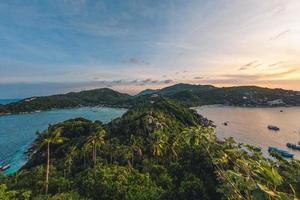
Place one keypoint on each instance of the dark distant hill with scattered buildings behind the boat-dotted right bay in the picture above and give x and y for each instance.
(249, 96)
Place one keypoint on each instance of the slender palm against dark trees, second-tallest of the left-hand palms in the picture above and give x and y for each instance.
(96, 140)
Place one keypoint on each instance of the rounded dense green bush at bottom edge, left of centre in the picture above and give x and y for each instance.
(116, 182)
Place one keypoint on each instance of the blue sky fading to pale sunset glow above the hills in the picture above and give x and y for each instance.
(58, 46)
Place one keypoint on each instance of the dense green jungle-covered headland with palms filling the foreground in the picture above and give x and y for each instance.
(157, 150)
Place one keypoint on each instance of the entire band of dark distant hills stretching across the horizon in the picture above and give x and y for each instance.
(187, 94)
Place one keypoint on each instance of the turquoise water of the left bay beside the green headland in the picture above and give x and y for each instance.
(17, 132)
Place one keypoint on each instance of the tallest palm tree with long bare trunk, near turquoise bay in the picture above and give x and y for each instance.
(51, 137)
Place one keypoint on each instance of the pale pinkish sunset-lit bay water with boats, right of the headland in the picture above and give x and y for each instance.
(250, 125)
